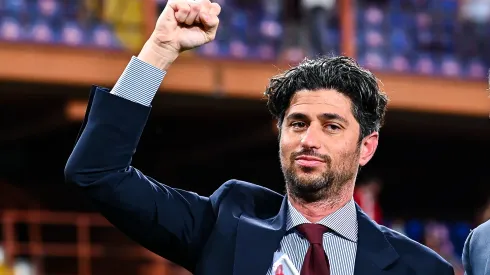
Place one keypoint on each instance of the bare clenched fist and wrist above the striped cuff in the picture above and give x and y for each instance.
(183, 25)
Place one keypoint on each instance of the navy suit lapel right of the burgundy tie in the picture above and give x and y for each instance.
(375, 255)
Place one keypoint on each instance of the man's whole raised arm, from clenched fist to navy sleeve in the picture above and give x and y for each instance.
(170, 222)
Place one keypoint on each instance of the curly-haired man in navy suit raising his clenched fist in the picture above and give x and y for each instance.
(329, 113)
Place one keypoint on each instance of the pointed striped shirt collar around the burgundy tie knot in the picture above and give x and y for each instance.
(343, 221)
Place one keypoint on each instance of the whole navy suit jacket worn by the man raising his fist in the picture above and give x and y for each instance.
(234, 231)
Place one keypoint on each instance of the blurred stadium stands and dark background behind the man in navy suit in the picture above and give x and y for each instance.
(428, 179)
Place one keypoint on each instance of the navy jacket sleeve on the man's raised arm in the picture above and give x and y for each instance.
(170, 222)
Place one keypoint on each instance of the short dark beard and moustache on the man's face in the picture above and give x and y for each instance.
(328, 186)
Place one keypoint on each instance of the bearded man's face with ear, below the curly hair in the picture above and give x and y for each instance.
(319, 146)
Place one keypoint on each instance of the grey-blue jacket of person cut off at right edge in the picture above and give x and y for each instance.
(476, 251)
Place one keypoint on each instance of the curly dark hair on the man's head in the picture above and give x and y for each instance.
(342, 74)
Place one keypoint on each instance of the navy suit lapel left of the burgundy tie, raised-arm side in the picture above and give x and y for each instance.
(256, 242)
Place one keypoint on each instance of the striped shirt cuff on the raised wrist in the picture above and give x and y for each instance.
(139, 82)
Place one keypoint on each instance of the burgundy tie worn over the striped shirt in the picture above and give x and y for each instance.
(316, 262)
